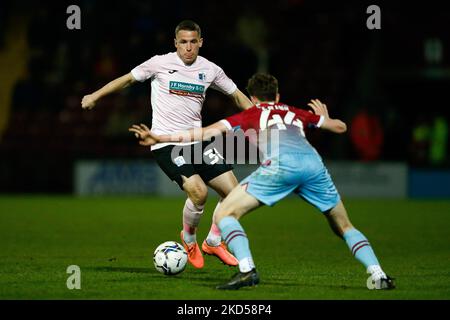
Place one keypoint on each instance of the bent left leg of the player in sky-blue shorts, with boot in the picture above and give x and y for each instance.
(232, 208)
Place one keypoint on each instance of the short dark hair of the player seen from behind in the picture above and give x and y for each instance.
(263, 86)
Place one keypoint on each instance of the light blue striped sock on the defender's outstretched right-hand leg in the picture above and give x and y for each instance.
(360, 248)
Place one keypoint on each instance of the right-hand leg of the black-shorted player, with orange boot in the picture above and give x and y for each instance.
(213, 244)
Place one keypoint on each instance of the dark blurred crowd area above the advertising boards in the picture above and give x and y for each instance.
(372, 79)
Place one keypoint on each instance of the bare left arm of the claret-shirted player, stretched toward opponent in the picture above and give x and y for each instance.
(147, 138)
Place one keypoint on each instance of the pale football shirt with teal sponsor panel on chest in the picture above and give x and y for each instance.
(178, 91)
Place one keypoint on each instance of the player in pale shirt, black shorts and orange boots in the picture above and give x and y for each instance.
(179, 81)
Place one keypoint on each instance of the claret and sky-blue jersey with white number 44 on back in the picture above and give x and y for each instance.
(289, 121)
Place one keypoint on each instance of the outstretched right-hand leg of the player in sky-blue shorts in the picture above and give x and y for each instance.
(358, 245)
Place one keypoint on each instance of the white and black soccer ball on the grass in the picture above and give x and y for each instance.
(170, 258)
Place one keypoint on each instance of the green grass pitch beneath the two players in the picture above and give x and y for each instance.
(112, 240)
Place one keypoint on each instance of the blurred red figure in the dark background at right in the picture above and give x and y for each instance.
(367, 135)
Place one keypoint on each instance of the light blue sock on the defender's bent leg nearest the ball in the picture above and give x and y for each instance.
(236, 240)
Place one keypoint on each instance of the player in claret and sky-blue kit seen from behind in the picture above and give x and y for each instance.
(290, 164)
